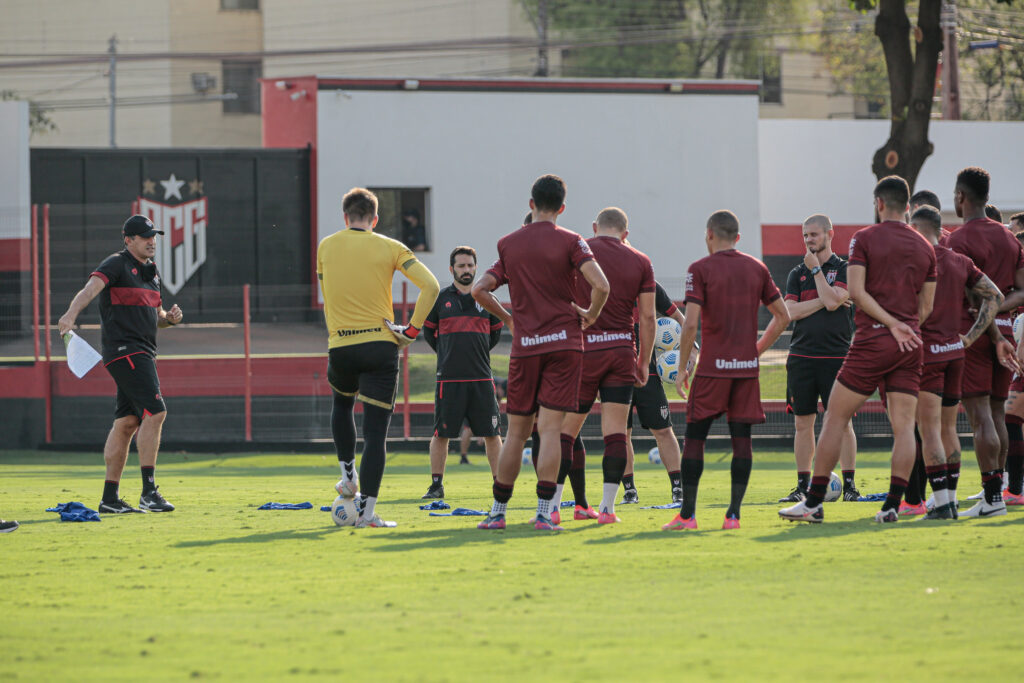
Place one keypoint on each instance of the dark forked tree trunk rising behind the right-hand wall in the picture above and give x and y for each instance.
(912, 87)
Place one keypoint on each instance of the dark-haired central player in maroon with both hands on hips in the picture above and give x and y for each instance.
(539, 263)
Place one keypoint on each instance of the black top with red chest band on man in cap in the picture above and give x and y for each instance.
(130, 307)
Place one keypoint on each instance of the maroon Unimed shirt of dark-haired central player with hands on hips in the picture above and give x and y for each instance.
(539, 264)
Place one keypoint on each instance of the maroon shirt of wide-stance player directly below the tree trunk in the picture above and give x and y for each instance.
(899, 262)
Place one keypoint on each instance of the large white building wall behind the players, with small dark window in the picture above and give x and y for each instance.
(669, 161)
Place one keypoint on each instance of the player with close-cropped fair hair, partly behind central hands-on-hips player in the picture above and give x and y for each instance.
(612, 365)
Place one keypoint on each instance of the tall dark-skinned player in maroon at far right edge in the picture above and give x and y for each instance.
(990, 363)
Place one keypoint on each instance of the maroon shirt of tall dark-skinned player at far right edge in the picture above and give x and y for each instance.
(997, 253)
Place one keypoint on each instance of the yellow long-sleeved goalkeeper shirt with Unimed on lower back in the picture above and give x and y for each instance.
(356, 269)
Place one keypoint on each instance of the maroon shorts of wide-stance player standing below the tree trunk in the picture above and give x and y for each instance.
(878, 362)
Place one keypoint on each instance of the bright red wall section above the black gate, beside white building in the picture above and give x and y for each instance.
(289, 112)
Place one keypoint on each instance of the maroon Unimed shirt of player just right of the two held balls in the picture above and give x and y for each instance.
(730, 286)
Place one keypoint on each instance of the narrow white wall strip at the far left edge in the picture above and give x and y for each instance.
(15, 179)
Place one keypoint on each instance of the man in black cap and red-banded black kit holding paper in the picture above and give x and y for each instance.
(131, 312)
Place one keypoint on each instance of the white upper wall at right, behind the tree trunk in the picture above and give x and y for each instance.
(826, 166)
